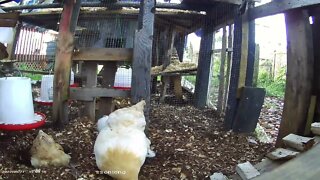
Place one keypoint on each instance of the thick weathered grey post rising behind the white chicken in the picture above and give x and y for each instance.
(141, 77)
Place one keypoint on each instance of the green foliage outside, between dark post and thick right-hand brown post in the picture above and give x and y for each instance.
(274, 86)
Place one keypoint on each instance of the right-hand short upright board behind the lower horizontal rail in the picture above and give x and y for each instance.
(108, 76)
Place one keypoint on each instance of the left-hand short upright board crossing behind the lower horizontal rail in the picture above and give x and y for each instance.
(89, 71)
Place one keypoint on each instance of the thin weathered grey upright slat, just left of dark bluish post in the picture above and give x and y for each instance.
(222, 67)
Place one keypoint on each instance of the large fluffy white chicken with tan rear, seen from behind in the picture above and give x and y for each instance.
(122, 146)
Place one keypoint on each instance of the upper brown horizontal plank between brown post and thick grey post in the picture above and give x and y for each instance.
(103, 54)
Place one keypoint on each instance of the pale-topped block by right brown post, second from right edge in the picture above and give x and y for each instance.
(299, 143)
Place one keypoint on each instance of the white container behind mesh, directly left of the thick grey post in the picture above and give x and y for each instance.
(123, 78)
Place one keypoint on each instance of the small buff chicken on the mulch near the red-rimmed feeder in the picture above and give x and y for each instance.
(45, 152)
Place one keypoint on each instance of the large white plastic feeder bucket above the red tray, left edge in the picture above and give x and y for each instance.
(16, 104)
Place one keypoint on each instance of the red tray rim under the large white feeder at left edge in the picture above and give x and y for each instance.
(22, 127)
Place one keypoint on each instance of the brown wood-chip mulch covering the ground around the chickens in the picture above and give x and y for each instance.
(189, 144)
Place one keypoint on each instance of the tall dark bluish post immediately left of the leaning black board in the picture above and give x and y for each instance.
(234, 75)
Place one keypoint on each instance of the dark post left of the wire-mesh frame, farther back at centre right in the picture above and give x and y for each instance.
(204, 64)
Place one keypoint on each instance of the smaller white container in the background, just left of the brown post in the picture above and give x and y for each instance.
(46, 91)
